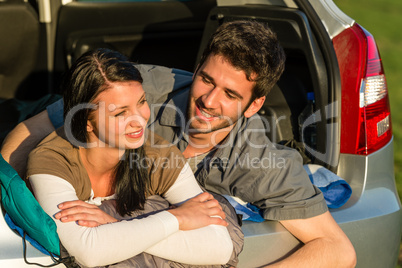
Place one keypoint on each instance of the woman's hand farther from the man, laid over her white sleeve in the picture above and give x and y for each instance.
(83, 213)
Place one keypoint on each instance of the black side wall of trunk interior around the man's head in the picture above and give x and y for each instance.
(311, 67)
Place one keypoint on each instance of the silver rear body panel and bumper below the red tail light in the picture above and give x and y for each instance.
(363, 218)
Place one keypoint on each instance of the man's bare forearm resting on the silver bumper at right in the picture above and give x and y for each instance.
(325, 244)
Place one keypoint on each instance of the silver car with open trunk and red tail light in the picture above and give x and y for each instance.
(327, 52)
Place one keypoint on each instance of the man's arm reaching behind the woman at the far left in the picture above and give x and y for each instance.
(23, 139)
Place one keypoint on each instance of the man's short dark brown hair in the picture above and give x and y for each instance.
(252, 47)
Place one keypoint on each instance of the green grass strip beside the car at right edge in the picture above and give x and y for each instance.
(382, 18)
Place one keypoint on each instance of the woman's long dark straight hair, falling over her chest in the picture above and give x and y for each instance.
(93, 73)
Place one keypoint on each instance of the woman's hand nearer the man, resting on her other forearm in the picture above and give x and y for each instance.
(200, 211)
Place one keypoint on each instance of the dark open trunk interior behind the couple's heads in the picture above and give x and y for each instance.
(172, 33)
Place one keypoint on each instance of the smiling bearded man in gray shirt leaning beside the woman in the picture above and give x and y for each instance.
(218, 131)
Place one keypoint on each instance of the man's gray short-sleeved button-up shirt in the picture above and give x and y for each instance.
(246, 165)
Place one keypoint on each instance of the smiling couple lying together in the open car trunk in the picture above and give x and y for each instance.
(98, 157)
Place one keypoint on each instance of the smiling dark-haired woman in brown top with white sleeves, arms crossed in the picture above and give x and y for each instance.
(99, 155)
